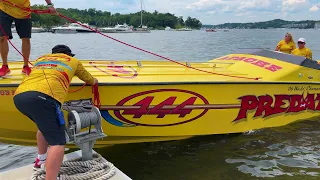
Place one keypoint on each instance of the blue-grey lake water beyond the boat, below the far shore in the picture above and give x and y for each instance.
(181, 46)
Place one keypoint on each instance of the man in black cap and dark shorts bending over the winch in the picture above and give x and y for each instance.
(40, 96)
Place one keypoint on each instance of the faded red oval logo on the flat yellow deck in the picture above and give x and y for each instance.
(115, 70)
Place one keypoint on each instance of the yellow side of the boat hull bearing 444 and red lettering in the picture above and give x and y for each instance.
(159, 112)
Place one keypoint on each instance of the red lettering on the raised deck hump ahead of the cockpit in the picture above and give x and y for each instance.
(254, 61)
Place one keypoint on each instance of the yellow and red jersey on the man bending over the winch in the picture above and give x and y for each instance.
(52, 75)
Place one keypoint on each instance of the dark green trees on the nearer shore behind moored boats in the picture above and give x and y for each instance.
(100, 18)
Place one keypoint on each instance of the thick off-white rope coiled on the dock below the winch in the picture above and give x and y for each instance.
(96, 169)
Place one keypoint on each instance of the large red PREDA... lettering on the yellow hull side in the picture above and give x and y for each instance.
(267, 106)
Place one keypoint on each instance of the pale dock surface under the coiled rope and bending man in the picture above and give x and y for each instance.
(25, 172)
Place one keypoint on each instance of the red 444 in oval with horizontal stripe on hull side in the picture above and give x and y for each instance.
(159, 108)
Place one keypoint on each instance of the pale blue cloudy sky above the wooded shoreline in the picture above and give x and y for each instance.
(208, 11)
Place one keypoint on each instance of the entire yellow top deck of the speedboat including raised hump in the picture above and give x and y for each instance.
(267, 66)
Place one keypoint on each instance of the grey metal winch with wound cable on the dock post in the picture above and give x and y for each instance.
(82, 117)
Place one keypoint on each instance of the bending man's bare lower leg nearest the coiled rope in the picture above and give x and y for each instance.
(54, 161)
